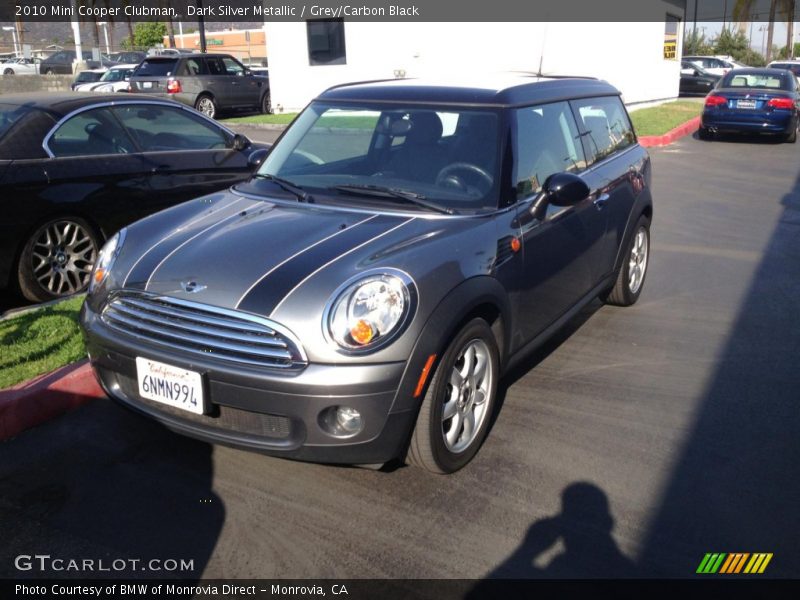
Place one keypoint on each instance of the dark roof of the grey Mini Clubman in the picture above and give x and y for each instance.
(515, 89)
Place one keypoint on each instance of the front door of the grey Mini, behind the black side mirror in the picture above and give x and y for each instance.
(556, 241)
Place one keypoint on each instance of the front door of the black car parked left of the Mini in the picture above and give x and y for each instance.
(186, 155)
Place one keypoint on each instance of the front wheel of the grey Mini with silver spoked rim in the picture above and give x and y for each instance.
(465, 382)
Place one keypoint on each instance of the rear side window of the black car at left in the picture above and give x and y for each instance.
(90, 133)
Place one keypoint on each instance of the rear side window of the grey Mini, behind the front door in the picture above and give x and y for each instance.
(605, 126)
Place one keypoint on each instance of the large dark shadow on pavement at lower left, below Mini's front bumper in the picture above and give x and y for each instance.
(121, 489)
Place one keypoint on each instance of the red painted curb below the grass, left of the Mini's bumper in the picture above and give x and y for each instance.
(45, 397)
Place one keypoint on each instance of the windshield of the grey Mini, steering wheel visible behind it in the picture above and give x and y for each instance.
(443, 156)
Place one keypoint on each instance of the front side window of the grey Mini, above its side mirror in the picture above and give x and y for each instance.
(546, 142)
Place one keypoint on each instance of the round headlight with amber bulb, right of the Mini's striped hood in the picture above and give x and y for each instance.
(371, 310)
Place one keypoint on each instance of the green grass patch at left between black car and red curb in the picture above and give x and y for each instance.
(40, 341)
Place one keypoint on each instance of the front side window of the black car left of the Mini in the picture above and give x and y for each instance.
(163, 129)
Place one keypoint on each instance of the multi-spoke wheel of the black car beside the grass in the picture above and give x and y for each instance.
(57, 259)
